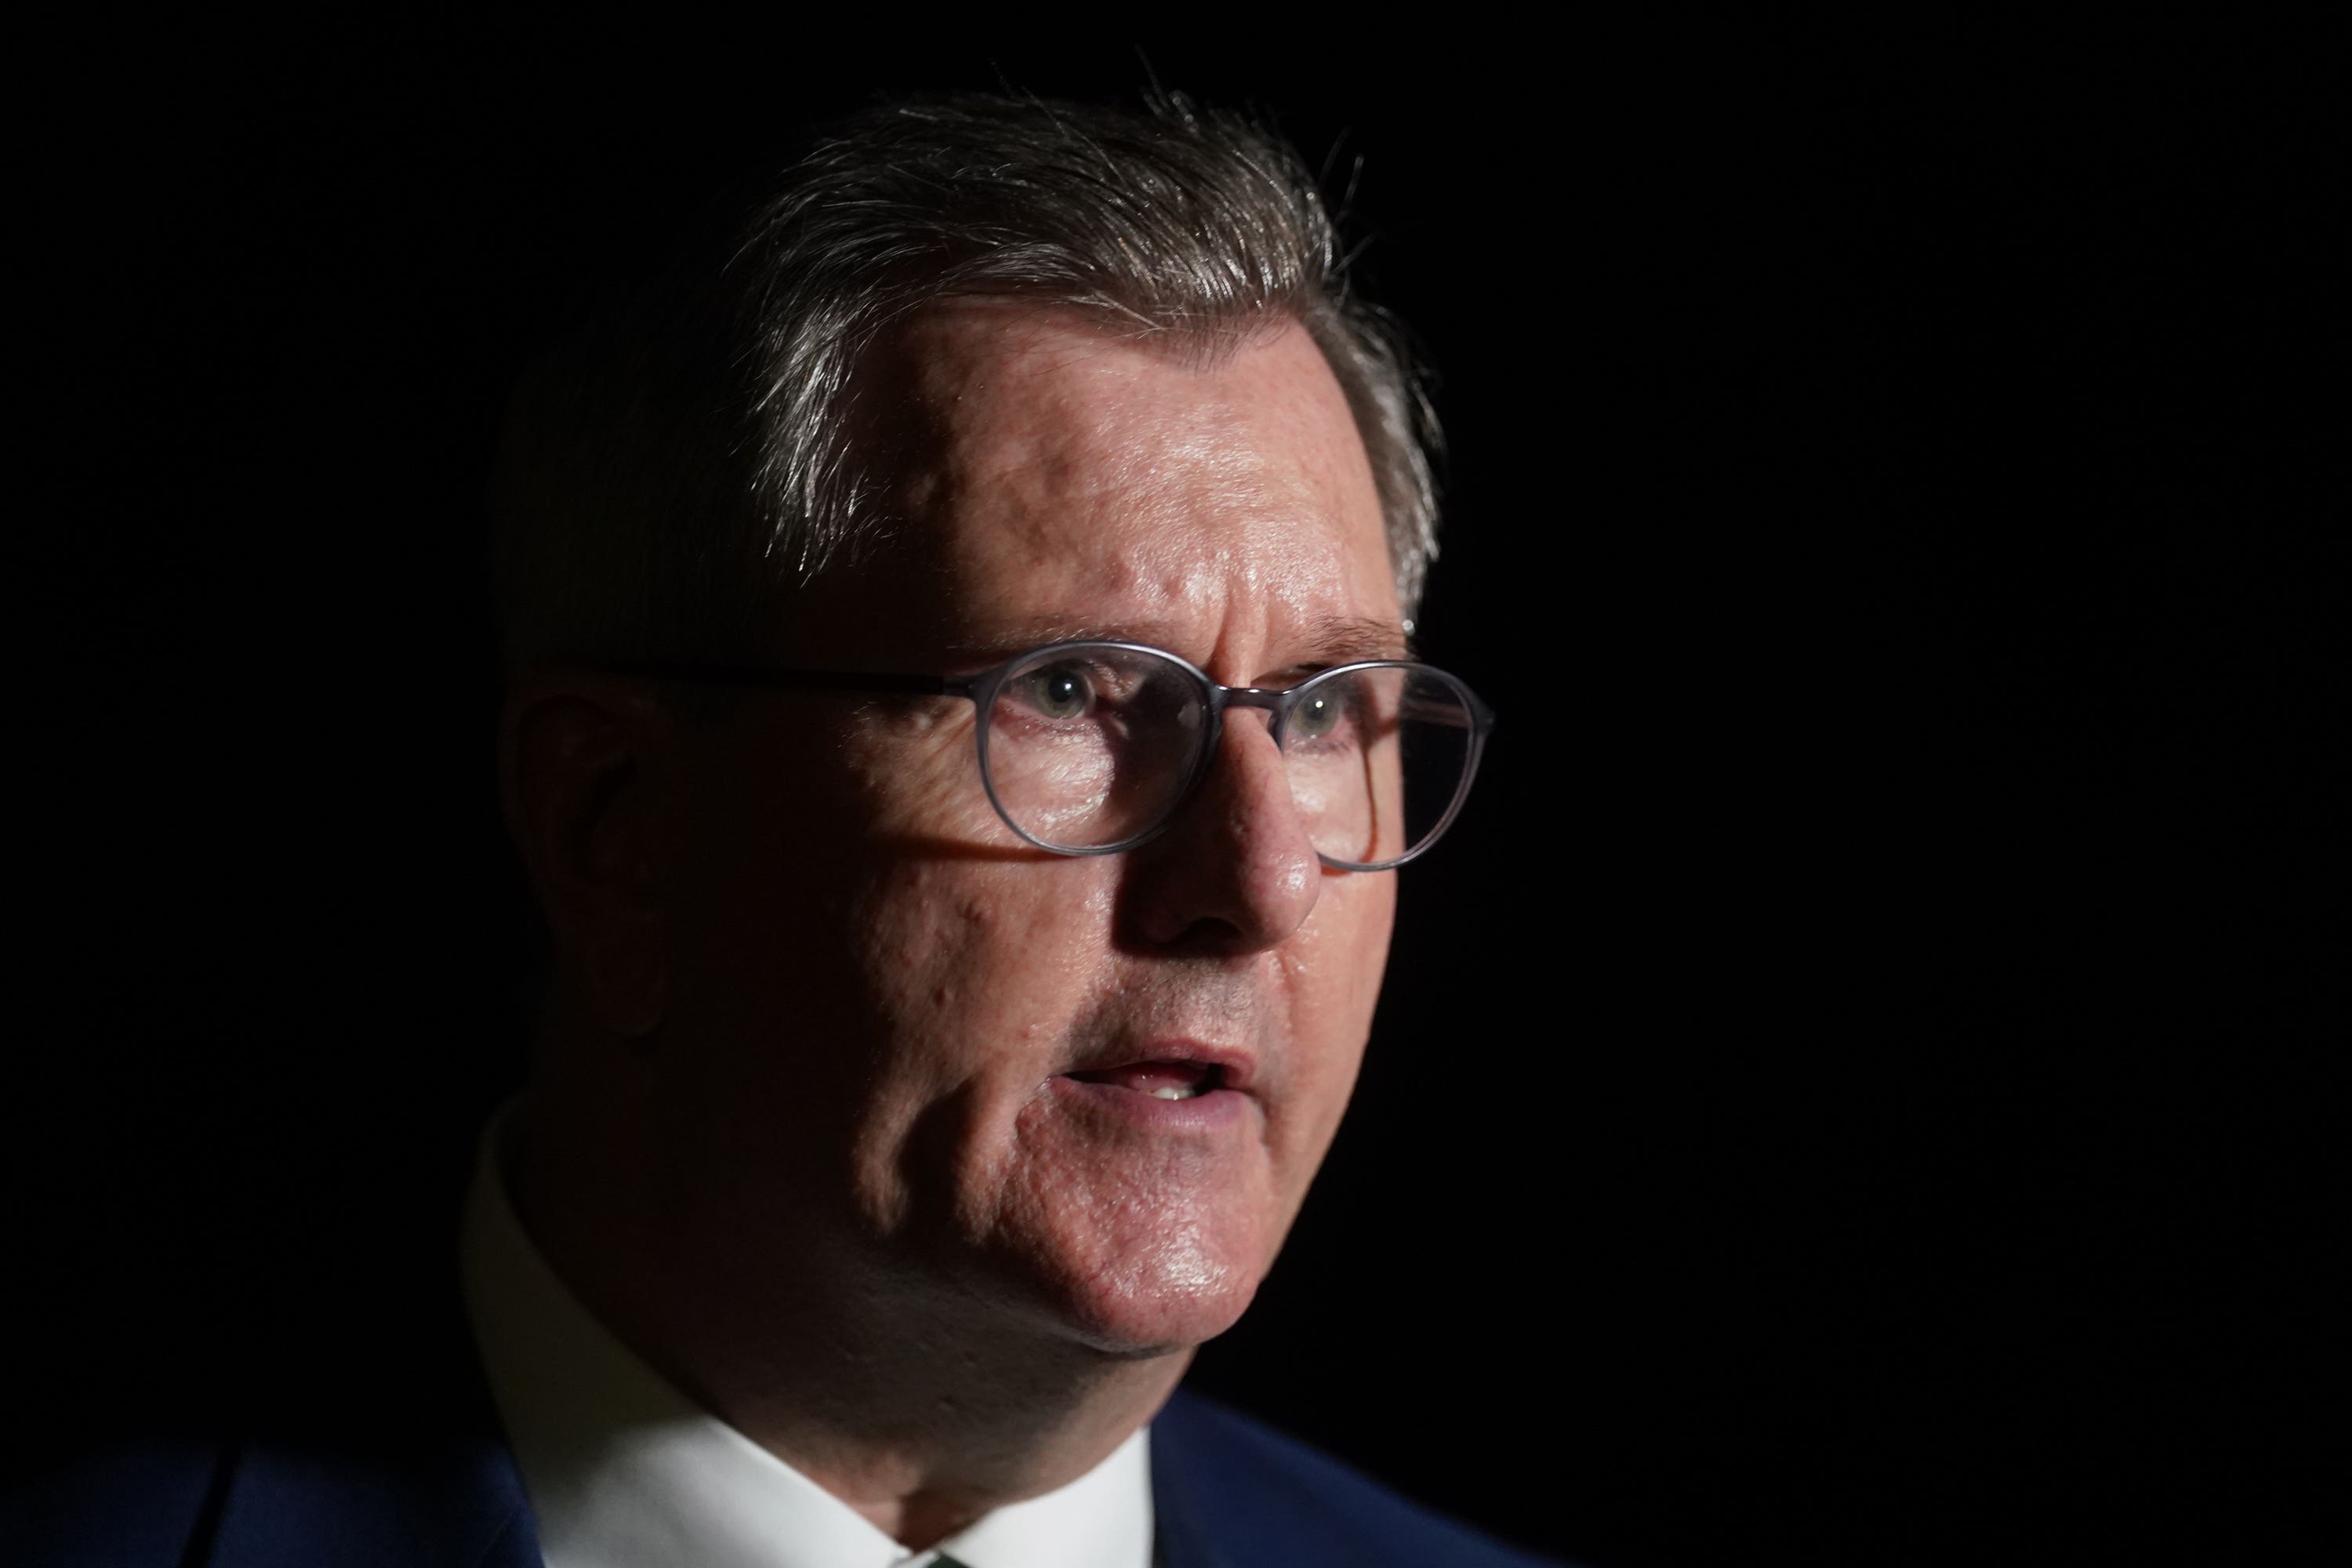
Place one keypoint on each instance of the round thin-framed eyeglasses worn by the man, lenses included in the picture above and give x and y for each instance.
(1093, 749)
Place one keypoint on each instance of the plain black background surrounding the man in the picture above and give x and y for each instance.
(1862, 1078)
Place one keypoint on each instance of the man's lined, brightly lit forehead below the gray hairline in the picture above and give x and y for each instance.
(1050, 478)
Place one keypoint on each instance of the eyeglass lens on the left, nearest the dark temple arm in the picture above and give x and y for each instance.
(1093, 746)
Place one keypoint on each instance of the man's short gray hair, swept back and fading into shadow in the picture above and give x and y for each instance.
(686, 455)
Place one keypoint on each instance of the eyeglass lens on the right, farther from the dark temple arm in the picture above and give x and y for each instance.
(1377, 760)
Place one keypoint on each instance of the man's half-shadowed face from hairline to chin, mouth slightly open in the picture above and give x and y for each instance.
(883, 996)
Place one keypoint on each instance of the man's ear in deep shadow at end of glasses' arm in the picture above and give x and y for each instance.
(592, 779)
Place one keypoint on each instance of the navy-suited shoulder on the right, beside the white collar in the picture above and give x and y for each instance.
(1243, 1494)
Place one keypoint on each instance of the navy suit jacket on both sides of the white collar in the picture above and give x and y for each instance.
(1229, 1494)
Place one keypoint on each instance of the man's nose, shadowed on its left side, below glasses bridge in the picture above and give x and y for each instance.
(1236, 871)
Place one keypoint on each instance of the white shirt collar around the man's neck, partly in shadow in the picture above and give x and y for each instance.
(627, 1473)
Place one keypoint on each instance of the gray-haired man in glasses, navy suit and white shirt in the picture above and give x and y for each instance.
(961, 735)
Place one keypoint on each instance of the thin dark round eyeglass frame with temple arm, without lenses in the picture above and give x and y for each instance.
(1276, 702)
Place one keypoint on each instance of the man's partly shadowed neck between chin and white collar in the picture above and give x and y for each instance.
(918, 1402)
